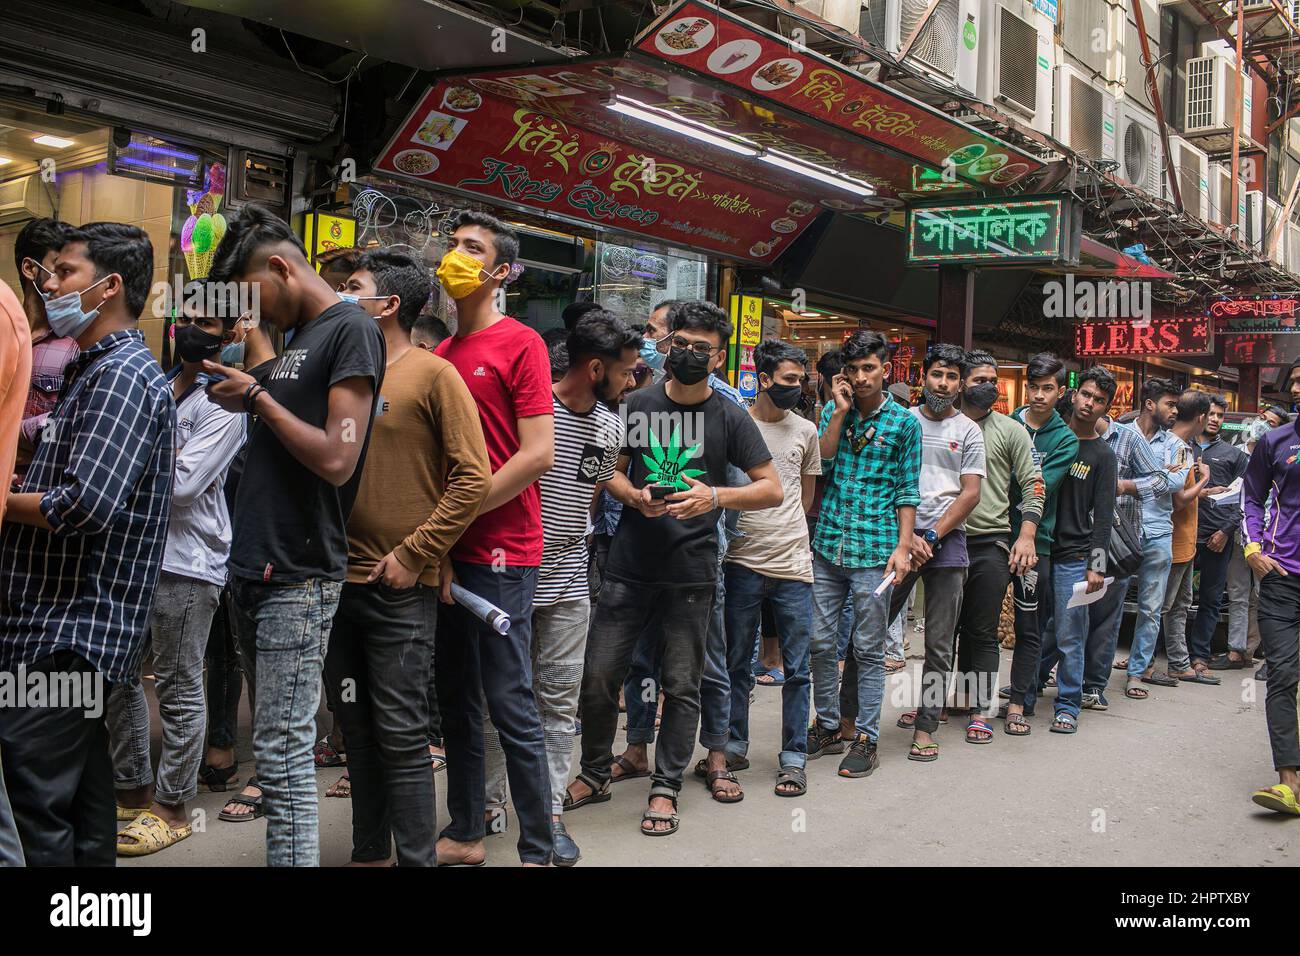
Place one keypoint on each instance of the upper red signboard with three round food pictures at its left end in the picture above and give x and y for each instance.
(760, 64)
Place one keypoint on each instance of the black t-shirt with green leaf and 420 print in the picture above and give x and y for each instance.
(668, 443)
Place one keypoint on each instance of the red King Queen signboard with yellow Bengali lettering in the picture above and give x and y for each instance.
(461, 140)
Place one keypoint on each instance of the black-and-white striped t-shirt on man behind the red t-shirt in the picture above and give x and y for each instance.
(587, 449)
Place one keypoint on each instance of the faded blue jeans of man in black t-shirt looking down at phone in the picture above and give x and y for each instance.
(284, 634)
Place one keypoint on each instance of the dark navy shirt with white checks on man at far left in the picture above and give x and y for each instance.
(105, 469)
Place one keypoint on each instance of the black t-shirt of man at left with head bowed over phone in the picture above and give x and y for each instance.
(289, 524)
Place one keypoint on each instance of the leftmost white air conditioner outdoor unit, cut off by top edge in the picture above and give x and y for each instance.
(947, 46)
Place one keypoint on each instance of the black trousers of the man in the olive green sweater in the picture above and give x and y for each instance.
(978, 657)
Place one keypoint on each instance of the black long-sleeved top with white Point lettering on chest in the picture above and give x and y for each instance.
(1086, 507)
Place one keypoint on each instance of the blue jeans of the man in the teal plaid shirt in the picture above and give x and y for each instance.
(831, 585)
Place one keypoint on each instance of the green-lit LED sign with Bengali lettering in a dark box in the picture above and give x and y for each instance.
(995, 232)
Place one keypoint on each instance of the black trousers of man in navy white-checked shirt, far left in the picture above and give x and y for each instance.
(60, 776)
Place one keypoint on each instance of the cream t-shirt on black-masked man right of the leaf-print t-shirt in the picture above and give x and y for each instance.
(775, 542)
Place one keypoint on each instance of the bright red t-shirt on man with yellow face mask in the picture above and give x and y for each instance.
(509, 373)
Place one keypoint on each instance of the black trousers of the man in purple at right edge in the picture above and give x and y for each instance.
(1280, 626)
